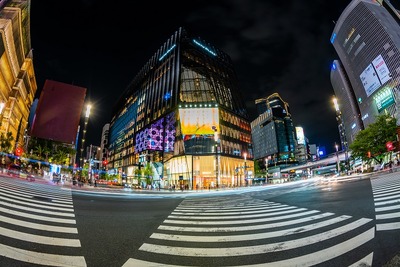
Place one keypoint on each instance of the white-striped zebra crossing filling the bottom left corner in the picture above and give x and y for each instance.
(37, 225)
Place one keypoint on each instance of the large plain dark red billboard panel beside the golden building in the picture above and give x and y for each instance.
(58, 112)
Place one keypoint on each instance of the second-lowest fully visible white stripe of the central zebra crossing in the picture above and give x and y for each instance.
(233, 238)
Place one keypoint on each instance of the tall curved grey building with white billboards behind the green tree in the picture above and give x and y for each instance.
(366, 77)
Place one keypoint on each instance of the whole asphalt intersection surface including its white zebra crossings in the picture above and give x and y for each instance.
(316, 222)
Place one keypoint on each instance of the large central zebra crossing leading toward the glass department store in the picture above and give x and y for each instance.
(243, 231)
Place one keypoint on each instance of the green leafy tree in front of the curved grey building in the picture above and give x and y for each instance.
(370, 143)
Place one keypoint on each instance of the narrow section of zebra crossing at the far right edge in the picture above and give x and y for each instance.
(386, 192)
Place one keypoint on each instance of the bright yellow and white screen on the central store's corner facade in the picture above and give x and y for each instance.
(198, 121)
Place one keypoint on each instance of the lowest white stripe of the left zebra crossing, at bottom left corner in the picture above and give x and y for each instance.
(41, 258)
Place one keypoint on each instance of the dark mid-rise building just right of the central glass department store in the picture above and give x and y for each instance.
(273, 133)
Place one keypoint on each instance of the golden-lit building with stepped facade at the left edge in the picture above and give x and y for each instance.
(17, 76)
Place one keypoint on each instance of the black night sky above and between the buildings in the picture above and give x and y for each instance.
(276, 46)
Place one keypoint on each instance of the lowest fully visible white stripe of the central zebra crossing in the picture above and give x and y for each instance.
(252, 250)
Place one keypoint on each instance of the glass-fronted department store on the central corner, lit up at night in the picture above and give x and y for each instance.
(183, 116)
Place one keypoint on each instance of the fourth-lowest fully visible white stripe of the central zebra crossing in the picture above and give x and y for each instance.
(241, 221)
